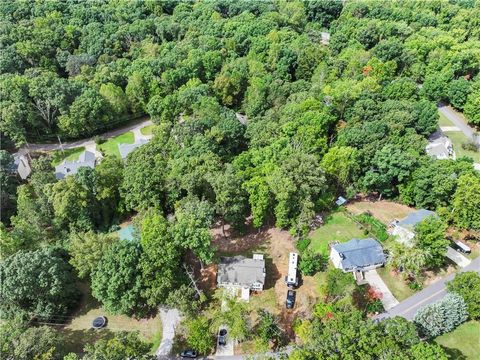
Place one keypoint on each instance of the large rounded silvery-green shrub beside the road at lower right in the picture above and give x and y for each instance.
(442, 316)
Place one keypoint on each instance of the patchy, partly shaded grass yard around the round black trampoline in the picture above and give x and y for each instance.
(78, 331)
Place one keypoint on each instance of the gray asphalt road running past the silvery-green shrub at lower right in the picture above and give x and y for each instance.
(408, 307)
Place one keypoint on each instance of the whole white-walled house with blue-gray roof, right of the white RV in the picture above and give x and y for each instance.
(357, 255)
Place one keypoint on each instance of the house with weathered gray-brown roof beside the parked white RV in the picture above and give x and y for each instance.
(240, 272)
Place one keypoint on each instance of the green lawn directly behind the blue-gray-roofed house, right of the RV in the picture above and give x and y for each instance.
(337, 227)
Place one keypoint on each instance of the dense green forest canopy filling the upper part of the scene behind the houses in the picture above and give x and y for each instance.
(322, 120)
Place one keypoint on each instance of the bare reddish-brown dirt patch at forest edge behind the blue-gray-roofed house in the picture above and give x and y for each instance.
(383, 210)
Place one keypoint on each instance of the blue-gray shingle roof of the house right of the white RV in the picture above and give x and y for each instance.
(360, 253)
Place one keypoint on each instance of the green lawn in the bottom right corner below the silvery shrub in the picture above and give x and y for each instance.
(464, 339)
